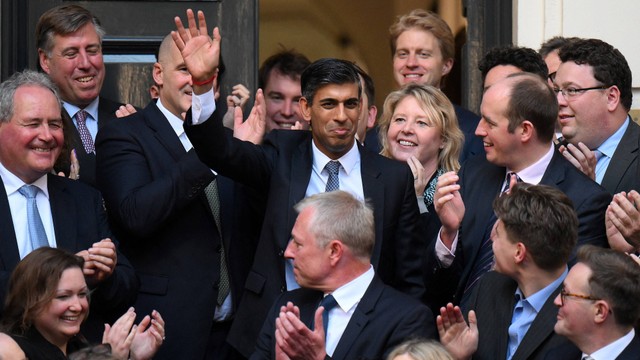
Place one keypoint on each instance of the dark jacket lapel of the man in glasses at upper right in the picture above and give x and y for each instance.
(626, 153)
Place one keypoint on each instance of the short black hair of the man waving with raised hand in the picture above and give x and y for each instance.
(328, 71)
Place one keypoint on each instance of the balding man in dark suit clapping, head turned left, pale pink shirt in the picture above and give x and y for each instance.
(517, 126)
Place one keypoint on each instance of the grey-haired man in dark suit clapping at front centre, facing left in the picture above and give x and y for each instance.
(343, 310)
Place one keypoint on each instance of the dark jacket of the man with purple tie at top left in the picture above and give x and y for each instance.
(106, 113)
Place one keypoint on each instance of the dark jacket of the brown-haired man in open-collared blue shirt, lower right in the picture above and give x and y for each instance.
(493, 301)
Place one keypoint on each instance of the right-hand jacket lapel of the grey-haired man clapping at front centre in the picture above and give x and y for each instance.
(359, 319)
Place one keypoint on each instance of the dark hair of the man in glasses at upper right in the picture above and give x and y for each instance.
(609, 65)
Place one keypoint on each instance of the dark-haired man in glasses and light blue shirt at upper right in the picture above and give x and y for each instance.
(593, 86)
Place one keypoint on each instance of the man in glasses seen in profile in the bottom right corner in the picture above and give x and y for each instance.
(598, 307)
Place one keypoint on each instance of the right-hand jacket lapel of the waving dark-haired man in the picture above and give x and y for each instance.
(373, 190)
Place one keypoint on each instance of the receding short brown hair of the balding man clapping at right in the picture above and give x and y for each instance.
(532, 99)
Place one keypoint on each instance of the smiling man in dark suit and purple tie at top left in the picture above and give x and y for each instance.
(69, 41)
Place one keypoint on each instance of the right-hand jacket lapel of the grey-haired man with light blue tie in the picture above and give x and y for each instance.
(63, 211)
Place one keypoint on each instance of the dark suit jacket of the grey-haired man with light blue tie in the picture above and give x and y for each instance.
(79, 221)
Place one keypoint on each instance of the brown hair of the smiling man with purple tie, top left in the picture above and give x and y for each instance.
(63, 20)
